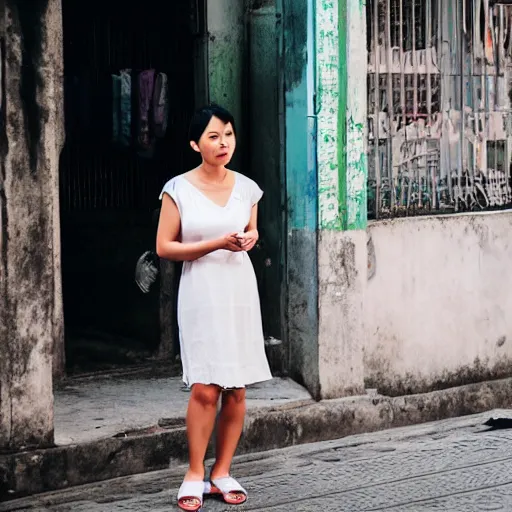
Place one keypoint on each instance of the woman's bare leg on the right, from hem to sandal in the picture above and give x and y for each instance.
(229, 430)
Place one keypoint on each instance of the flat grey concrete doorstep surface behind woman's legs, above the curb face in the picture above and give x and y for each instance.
(91, 409)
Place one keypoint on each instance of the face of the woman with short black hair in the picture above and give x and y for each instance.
(217, 144)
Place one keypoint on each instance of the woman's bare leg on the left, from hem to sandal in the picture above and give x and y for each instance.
(201, 413)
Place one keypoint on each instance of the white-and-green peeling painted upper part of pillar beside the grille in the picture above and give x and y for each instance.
(341, 113)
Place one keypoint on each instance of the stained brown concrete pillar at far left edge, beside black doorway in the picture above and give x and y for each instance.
(31, 138)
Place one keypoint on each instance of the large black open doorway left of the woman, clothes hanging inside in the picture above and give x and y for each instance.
(109, 181)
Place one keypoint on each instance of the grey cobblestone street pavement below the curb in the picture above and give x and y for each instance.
(450, 466)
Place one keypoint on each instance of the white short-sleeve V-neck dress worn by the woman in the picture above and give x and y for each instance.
(219, 317)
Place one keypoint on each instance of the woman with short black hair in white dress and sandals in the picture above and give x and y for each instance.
(208, 220)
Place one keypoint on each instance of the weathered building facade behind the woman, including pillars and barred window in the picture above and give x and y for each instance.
(380, 132)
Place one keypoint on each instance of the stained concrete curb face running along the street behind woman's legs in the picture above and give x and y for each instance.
(37, 471)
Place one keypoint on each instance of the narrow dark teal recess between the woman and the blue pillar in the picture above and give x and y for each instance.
(265, 164)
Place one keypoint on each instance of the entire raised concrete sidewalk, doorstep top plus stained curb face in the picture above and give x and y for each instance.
(114, 426)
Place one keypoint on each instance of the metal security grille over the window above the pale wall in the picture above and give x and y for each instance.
(439, 106)
